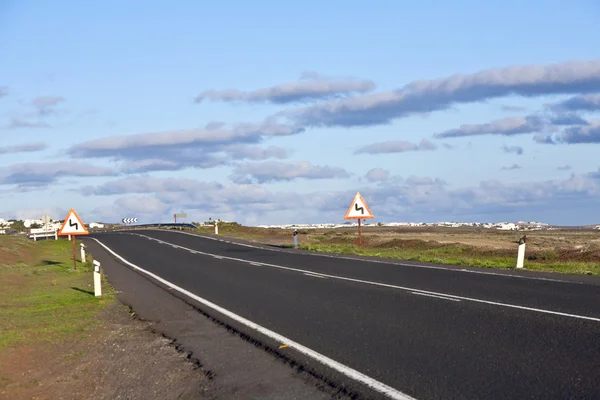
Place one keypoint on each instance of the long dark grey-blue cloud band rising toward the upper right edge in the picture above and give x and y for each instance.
(439, 94)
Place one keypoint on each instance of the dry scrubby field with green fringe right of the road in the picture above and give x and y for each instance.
(563, 251)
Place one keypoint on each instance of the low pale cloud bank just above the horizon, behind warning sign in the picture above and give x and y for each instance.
(416, 198)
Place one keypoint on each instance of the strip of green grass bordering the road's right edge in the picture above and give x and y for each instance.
(456, 255)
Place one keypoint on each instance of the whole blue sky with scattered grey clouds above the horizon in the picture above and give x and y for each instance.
(266, 112)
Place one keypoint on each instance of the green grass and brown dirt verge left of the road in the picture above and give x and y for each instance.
(57, 340)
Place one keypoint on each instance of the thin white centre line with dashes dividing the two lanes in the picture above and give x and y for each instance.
(495, 303)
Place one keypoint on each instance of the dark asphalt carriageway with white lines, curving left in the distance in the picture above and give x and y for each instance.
(428, 333)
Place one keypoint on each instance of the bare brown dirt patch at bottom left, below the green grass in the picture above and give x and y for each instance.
(122, 359)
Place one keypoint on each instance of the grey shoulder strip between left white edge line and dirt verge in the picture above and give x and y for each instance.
(236, 368)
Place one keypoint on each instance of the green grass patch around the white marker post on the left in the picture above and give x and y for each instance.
(42, 298)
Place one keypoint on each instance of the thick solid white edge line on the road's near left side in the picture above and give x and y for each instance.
(347, 371)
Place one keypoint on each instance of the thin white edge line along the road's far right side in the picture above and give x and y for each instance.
(315, 254)
